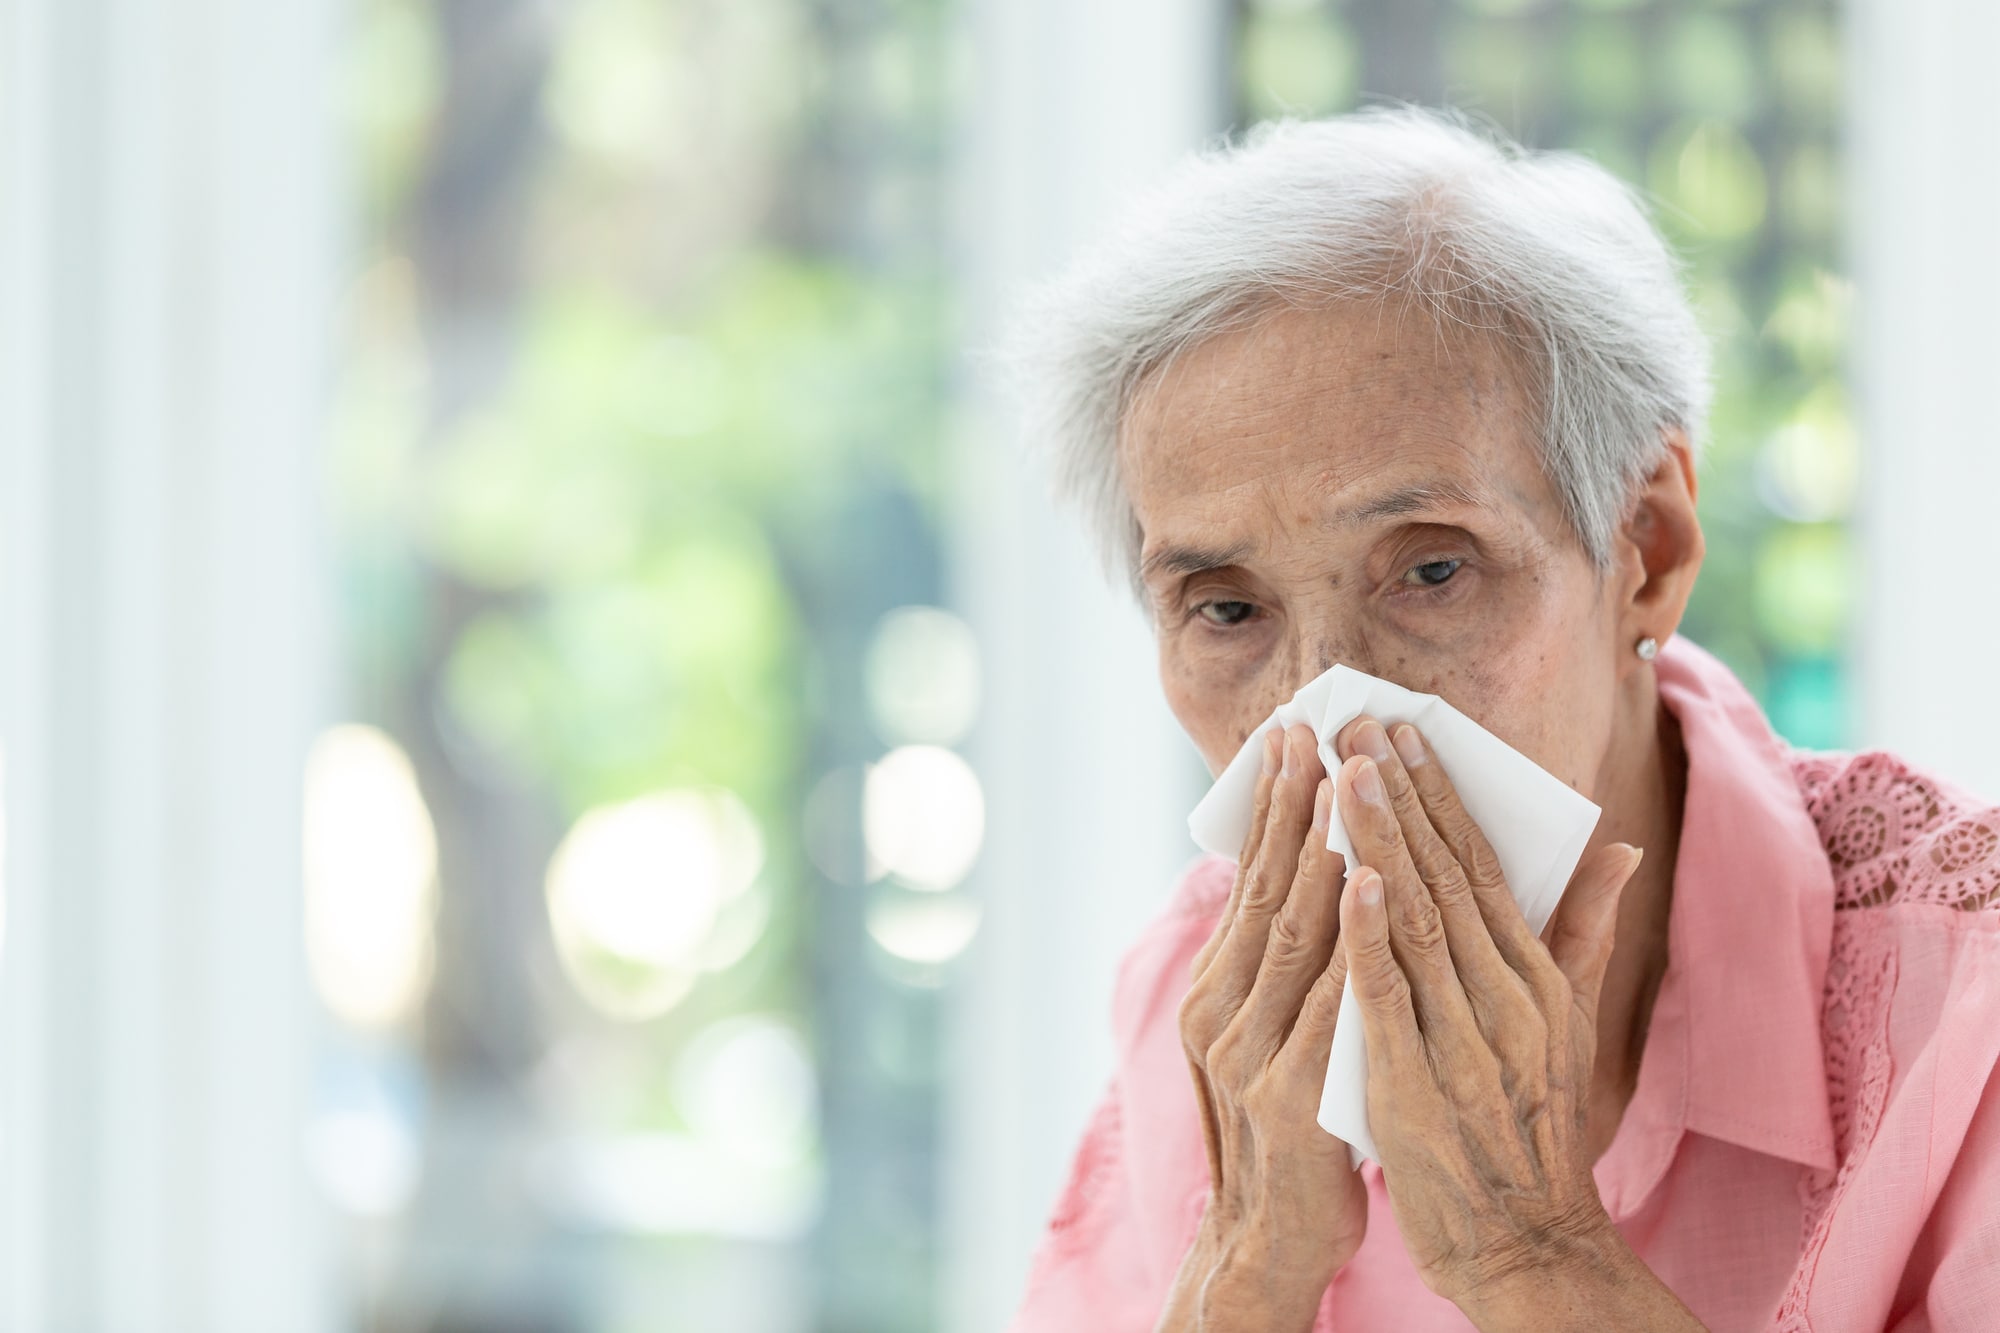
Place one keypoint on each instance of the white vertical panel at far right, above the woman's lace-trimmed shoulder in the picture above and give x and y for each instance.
(1925, 215)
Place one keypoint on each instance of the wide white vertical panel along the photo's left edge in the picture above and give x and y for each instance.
(167, 255)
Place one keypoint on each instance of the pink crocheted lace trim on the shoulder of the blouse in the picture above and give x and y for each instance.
(1899, 836)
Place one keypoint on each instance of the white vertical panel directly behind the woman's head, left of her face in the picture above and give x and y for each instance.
(1087, 774)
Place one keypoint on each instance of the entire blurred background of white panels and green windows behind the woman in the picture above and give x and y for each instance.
(561, 772)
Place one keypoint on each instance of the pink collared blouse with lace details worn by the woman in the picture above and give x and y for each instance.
(1815, 1138)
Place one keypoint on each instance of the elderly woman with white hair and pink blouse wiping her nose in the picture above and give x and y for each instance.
(1385, 391)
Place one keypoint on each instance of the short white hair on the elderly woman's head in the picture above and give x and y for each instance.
(1547, 253)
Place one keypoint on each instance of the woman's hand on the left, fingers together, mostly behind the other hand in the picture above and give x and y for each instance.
(1285, 1208)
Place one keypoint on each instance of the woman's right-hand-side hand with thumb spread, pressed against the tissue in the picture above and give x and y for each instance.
(1481, 1044)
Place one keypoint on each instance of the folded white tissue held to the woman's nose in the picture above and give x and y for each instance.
(1537, 824)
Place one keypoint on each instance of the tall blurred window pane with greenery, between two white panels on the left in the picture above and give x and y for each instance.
(637, 870)
